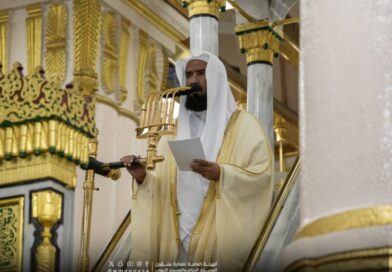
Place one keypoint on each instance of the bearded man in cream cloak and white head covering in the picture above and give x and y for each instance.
(216, 212)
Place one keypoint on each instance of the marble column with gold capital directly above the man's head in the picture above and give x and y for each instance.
(204, 16)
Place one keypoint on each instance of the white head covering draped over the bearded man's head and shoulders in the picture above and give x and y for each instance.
(220, 104)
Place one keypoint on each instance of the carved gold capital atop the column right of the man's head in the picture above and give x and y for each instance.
(258, 41)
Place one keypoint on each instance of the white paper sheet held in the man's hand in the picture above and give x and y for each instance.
(185, 151)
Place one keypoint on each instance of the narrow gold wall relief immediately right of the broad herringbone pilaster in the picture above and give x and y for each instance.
(110, 57)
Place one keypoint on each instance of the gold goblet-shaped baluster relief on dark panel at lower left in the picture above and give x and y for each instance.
(46, 208)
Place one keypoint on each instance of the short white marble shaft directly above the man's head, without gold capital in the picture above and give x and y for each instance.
(204, 34)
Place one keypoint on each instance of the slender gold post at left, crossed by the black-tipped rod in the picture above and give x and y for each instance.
(88, 187)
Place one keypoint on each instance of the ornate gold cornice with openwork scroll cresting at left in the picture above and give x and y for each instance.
(44, 130)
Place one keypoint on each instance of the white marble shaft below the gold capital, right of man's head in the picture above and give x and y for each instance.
(260, 96)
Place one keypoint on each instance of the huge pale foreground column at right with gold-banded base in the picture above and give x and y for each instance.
(346, 138)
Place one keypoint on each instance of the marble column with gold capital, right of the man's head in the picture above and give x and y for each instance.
(260, 44)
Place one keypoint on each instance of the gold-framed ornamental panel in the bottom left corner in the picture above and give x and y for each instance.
(11, 233)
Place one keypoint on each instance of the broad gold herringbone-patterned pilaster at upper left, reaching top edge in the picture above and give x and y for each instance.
(87, 20)
